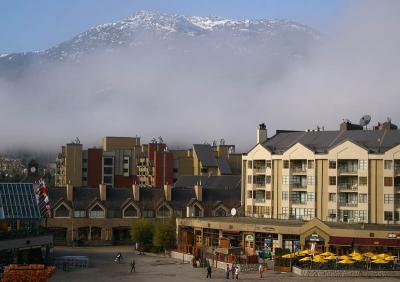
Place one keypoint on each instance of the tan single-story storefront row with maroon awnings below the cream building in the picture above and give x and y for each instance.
(246, 233)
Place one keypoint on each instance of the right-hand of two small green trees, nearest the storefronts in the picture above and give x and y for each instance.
(165, 235)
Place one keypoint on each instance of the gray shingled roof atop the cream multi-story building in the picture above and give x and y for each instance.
(376, 141)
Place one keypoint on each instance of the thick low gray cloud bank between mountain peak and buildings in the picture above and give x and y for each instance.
(198, 93)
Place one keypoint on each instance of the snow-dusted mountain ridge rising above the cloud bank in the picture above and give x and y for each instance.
(277, 37)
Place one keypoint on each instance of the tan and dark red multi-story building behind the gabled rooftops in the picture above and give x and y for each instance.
(119, 162)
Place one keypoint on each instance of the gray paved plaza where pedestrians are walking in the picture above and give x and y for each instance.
(154, 268)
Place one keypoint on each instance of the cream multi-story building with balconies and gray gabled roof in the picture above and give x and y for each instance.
(349, 175)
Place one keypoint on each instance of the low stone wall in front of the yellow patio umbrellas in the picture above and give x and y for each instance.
(344, 273)
